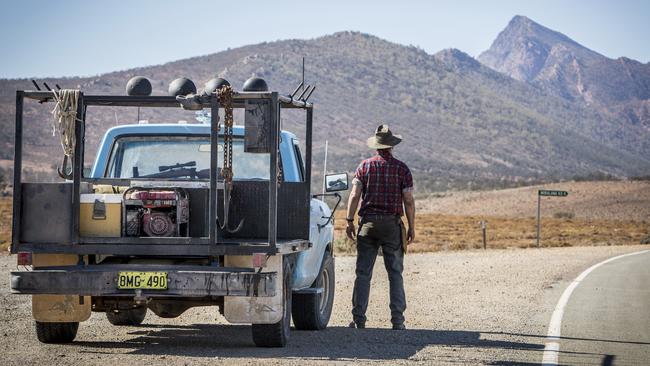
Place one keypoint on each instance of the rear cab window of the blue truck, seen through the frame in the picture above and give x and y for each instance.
(139, 156)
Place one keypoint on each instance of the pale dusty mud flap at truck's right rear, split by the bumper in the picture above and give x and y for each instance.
(258, 310)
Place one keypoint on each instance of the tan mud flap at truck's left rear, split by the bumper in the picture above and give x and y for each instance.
(58, 308)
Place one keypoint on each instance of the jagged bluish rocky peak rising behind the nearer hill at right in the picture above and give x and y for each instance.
(530, 52)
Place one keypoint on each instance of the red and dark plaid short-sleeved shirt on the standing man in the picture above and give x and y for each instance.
(383, 179)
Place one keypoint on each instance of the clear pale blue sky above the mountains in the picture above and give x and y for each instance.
(84, 38)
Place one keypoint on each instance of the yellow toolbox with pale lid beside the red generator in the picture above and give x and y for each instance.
(100, 215)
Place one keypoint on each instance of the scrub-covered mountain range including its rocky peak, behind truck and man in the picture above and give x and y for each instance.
(536, 106)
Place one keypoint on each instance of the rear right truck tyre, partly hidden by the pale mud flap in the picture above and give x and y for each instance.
(277, 334)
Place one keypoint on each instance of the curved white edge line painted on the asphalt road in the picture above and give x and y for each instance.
(552, 347)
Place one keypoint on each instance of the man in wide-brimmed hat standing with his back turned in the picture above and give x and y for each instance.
(385, 187)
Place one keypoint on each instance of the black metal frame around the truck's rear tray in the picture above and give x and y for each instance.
(192, 246)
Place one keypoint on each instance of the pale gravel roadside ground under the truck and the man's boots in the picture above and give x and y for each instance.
(464, 307)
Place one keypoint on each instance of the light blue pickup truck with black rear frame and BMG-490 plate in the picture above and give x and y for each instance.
(152, 229)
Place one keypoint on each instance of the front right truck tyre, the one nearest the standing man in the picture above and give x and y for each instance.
(313, 311)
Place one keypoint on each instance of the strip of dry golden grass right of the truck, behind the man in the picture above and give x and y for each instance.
(436, 232)
